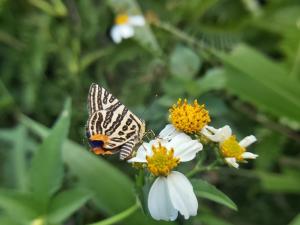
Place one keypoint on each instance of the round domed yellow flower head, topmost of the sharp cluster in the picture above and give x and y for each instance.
(189, 118)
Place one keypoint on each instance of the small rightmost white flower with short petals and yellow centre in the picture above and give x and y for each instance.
(232, 150)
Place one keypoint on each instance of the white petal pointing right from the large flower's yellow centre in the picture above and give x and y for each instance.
(187, 151)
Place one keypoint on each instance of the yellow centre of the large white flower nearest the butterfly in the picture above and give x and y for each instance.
(162, 161)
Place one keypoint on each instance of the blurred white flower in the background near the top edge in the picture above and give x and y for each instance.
(124, 26)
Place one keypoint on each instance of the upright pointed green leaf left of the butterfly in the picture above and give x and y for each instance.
(47, 168)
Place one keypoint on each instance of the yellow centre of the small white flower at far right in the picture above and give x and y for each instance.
(231, 148)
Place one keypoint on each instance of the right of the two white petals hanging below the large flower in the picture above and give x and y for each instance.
(182, 194)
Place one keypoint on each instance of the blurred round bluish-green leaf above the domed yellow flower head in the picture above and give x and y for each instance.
(184, 62)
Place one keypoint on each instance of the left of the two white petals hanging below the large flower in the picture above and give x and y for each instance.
(159, 203)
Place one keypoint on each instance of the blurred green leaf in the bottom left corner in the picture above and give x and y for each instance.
(20, 206)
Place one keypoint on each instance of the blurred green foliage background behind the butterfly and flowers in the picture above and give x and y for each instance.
(240, 58)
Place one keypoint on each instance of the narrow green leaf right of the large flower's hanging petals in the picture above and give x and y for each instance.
(205, 190)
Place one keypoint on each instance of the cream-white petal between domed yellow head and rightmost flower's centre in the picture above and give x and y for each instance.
(217, 135)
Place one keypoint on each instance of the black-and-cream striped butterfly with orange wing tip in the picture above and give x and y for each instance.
(111, 127)
